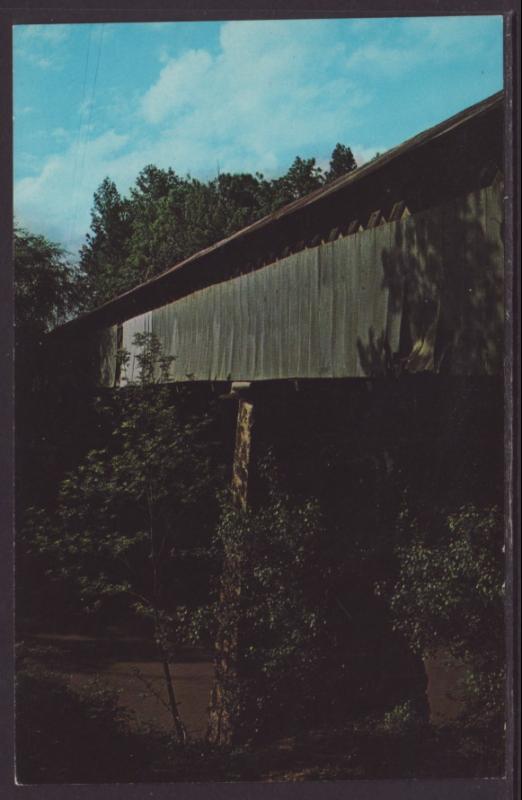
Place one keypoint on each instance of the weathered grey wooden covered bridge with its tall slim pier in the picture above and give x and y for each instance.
(393, 269)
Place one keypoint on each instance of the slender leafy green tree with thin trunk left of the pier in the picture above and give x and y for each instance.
(125, 516)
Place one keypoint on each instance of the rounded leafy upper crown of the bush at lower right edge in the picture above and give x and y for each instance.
(450, 590)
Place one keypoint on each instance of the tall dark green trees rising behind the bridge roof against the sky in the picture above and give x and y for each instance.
(167, 218)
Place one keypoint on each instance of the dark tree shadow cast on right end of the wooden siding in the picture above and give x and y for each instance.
(445, 274)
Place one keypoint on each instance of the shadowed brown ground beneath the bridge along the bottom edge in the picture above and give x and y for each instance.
(63, 742)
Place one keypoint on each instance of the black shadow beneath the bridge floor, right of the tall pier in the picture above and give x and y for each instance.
(365, 449)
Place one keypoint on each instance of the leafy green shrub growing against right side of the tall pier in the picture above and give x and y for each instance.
(272, 604)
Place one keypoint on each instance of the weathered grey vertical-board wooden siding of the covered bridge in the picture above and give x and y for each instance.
(335, 310)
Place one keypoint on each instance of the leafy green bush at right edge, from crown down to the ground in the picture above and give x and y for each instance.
(450, 597)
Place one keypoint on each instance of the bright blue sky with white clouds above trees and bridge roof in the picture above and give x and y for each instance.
(92, 100)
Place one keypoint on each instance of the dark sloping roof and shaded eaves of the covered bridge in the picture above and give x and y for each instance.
(443, 161)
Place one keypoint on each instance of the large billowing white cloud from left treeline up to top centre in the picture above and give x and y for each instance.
(266, 96)
